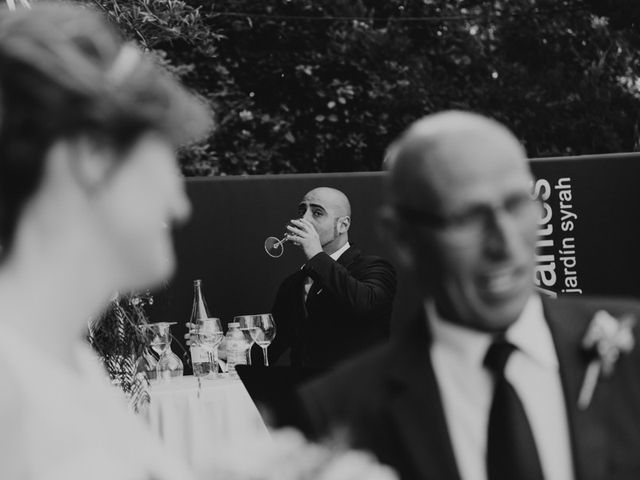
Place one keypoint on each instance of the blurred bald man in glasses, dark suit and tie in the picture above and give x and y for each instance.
(487, 382)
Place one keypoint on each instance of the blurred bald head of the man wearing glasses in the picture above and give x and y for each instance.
(463, 218)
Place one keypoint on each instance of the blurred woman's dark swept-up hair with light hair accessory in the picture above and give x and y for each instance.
(66, 73)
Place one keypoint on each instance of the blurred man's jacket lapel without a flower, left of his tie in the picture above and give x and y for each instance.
(416, 407)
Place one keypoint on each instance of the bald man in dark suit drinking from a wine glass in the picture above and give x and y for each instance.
(339, 303)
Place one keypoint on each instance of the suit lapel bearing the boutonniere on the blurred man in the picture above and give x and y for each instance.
(587, 427)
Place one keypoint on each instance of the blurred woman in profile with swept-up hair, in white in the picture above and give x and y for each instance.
(89, 187)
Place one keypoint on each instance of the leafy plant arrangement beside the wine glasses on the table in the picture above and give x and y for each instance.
(117, 338)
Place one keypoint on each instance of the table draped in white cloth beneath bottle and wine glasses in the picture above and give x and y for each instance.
(198, 423)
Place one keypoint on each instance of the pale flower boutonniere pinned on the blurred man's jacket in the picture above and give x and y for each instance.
(606, 338)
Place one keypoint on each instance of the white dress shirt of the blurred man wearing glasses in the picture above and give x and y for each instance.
(466, 389)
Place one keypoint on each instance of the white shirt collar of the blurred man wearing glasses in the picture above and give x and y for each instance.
(529, 333)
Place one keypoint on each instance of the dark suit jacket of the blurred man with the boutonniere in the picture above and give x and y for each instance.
(389, 400)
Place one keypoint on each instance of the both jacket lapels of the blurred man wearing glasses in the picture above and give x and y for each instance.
(419, 416)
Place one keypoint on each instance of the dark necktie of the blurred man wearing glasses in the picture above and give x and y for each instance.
(511, 449)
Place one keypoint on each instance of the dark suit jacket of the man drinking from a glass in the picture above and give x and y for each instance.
(347, 310)
